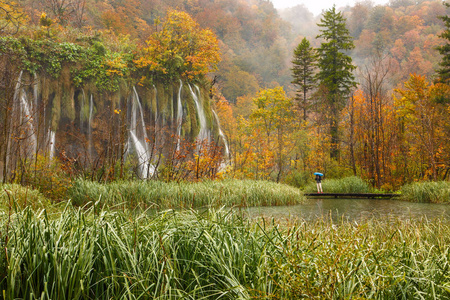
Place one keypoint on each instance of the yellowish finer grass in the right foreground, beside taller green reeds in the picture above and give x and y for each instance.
(374, 260)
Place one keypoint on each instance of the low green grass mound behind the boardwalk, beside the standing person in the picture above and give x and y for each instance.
(346, 185)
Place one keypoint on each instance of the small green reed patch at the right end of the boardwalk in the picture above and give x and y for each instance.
(427, 192)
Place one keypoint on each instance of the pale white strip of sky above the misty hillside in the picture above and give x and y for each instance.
(316, 6)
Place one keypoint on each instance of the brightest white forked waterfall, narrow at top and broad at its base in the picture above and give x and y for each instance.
(140, 141)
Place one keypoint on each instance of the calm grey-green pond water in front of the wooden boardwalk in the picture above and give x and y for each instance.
(353, 210)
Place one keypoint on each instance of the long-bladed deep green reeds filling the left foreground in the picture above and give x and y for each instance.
(119, 256)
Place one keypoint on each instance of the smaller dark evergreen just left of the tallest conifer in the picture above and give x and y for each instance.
(303, 72)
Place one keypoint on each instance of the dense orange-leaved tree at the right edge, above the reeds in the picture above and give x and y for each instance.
(424, 123)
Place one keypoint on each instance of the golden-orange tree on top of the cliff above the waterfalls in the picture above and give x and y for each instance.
(180, 48)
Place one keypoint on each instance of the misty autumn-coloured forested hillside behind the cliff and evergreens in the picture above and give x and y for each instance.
(257, 41)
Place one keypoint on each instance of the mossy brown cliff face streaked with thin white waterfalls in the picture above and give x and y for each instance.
(136, 124)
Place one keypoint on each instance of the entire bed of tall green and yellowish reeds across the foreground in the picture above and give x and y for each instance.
(89, 254)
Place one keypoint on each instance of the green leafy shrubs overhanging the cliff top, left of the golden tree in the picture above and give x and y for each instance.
(87, 62)
